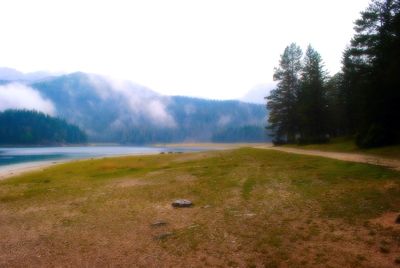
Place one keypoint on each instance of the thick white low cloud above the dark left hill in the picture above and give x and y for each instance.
(19, 96)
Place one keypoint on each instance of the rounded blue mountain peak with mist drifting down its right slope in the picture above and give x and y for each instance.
(106, 109)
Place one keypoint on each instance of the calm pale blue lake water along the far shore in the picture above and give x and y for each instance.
(12, 156)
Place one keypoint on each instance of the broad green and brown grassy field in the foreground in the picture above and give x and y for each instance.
(253, 208)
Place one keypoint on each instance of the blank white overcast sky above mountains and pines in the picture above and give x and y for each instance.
(217, 49)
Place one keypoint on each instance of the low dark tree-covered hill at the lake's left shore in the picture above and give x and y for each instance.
(23, 127)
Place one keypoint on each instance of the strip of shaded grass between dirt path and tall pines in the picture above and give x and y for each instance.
(348, 146)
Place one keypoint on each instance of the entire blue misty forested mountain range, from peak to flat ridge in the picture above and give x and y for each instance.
(109, 110)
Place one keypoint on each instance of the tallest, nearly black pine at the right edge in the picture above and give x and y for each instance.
(375, 54)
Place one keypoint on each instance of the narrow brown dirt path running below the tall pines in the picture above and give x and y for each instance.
(351, 157)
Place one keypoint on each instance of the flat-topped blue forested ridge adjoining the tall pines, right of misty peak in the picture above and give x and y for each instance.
(206, 120)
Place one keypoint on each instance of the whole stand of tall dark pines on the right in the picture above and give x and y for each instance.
(360, 101)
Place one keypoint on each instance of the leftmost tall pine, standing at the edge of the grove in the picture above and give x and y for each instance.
(282, 102)
